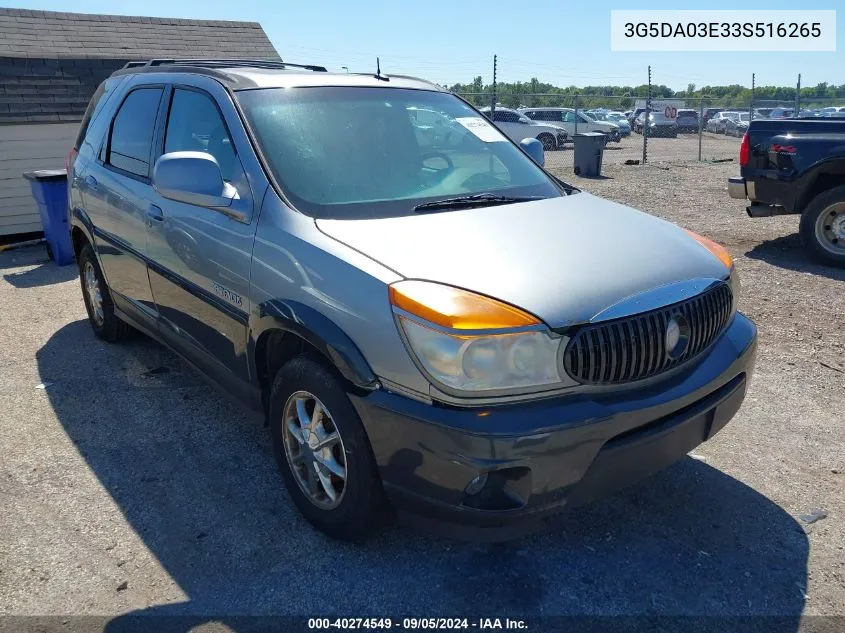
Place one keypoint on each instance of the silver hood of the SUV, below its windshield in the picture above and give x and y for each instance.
(564, 259)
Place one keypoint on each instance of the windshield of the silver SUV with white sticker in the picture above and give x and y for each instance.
(376, 152)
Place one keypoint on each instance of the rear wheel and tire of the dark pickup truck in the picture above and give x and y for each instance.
(827, 209)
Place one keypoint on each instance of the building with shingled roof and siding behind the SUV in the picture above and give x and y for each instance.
(52, 62)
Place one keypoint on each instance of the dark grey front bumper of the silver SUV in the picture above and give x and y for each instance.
(544, 456)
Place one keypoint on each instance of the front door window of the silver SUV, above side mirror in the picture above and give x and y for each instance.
(196, 125)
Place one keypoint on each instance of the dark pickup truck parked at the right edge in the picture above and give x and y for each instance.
(797, 166)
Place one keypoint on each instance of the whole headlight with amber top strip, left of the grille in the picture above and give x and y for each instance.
(471, 343)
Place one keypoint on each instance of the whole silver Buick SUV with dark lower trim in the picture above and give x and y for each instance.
(422, 314)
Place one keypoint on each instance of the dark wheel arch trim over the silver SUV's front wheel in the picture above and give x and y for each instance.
(319, 331)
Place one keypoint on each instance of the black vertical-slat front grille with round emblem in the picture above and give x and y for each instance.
(634, 348)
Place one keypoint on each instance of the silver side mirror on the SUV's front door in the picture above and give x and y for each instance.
(193, 178)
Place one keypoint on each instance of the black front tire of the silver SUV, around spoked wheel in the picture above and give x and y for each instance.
(352, 515)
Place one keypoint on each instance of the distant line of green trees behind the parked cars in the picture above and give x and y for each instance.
(537, 93)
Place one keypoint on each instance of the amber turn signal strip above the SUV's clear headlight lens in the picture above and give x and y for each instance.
(455, 308)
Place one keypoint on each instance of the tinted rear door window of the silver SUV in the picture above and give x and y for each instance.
(131, 138)
